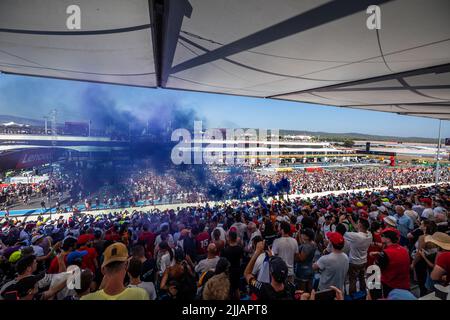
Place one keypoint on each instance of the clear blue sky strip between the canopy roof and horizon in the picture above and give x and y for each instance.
(34, 97)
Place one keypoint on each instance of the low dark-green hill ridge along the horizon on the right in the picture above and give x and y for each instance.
(329, 136)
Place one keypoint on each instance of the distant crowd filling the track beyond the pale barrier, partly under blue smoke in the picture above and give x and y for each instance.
(148, 187)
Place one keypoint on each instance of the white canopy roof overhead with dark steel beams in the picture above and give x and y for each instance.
(315, 51)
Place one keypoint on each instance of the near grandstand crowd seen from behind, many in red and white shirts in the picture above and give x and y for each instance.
(303, 249)
